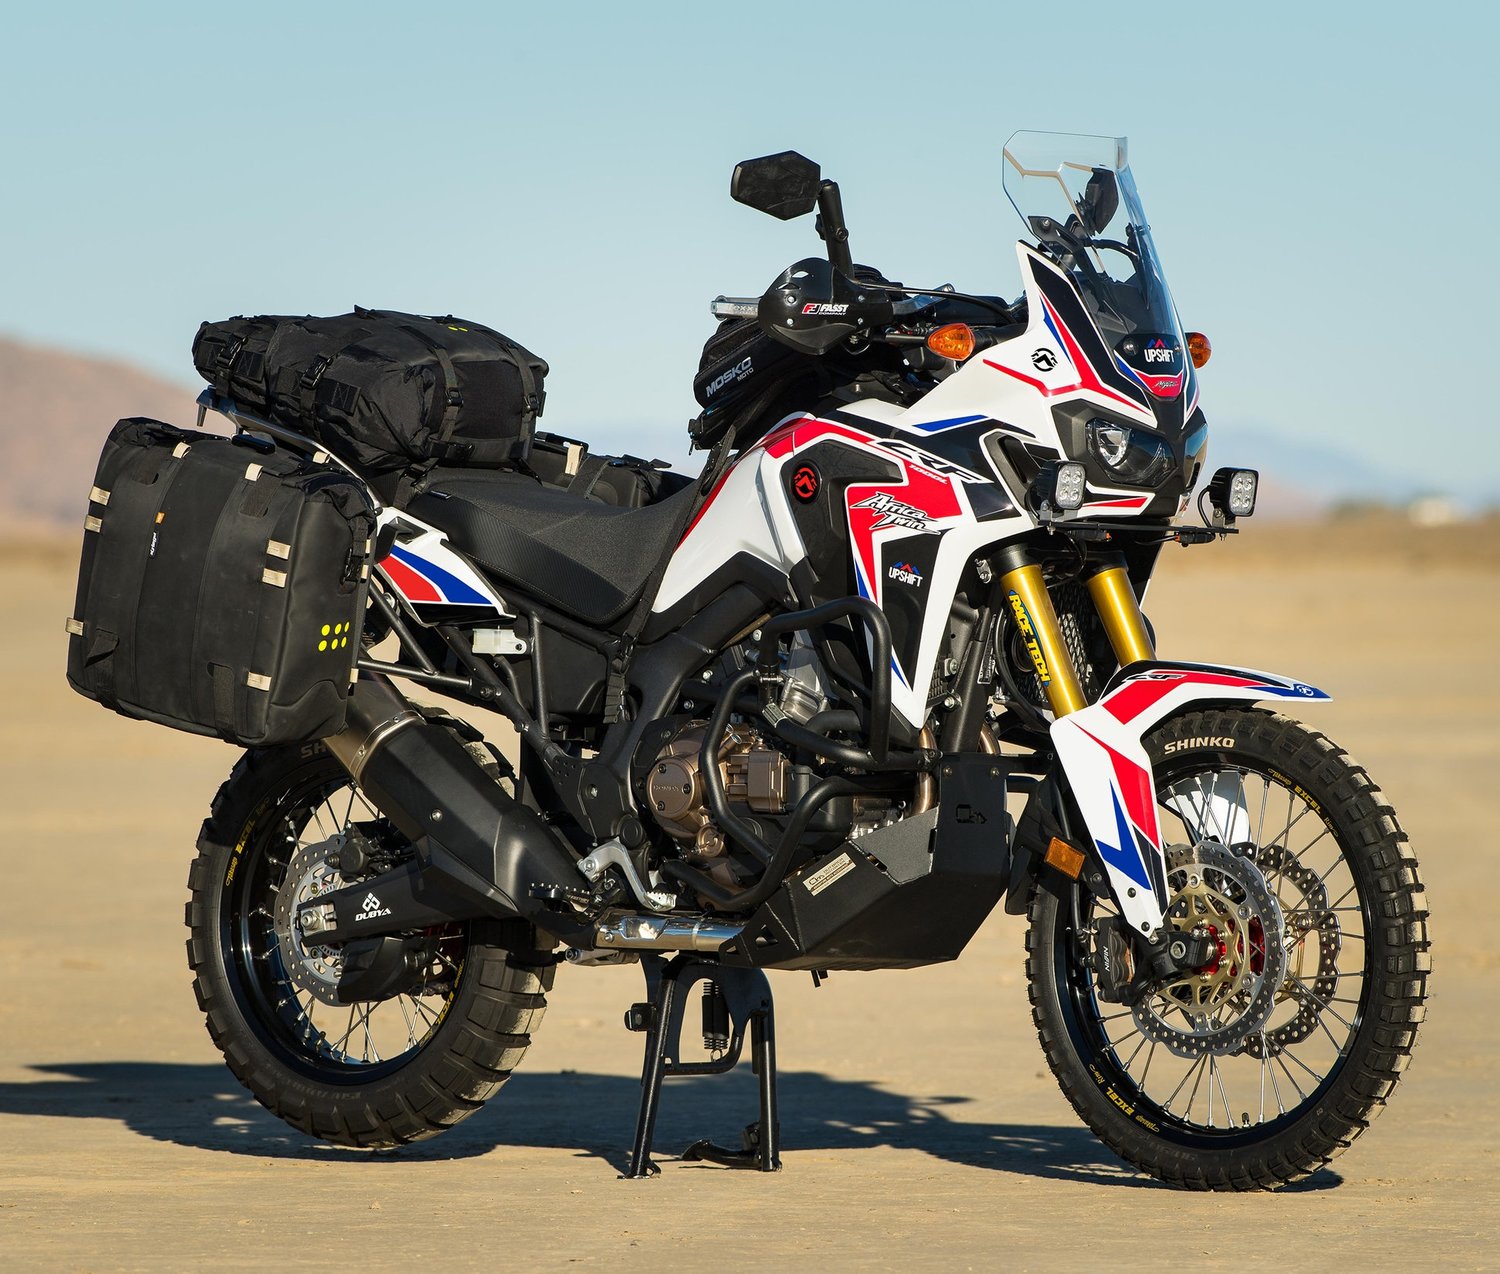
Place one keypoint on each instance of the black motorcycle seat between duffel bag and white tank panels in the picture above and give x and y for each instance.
(586, 559)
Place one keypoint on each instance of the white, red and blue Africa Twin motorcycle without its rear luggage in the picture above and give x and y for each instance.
(880, 670)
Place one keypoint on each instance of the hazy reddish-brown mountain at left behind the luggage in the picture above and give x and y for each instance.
(56, 410)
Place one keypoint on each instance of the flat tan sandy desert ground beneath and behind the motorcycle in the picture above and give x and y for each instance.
(920, 1125)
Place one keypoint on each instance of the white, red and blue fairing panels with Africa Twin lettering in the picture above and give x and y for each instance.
(1006, 391)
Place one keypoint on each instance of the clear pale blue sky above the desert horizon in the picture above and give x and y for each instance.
(1321, 181)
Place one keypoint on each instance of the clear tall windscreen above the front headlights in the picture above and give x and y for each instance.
(1078, 197)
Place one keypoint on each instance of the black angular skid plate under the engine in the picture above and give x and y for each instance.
(904, 897)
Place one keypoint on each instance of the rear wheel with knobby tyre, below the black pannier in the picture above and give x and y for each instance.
(376, 1074)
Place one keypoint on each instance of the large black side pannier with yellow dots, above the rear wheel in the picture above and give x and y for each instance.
(223, 586)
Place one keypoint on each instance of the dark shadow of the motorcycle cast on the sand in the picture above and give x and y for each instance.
(203, 1108)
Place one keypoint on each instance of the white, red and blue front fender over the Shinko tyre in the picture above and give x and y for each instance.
(1102, 754)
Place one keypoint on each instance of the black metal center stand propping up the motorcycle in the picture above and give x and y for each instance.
(733, 997)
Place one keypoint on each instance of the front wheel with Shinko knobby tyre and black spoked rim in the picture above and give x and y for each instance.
(1265, 1063)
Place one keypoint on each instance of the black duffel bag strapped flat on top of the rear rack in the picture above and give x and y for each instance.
(385, 391)
